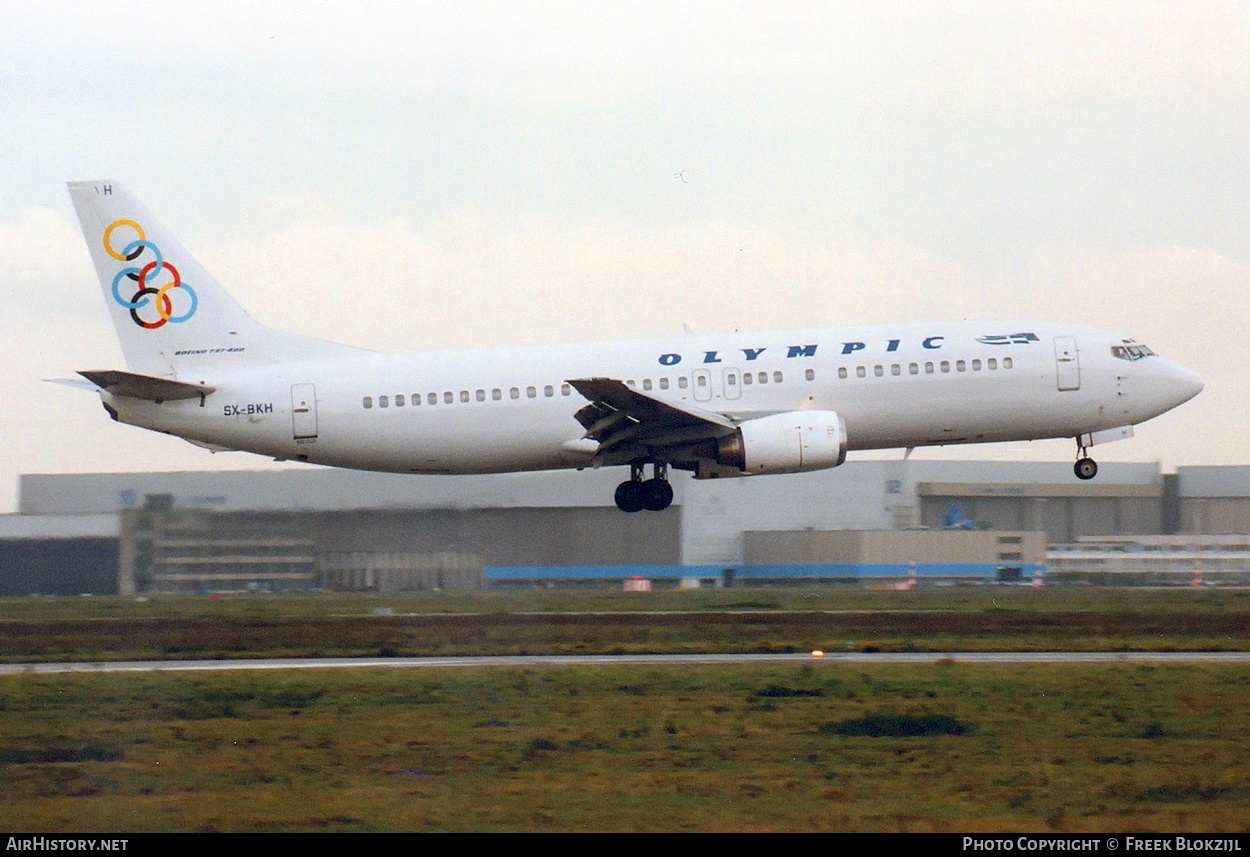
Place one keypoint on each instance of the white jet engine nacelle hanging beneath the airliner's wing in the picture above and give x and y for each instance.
(791, 443)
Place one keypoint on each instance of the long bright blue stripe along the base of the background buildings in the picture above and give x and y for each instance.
(749, 573)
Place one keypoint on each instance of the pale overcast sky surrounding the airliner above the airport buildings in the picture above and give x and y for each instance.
(434, 176)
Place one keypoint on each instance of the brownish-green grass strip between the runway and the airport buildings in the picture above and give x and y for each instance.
(1001, 619)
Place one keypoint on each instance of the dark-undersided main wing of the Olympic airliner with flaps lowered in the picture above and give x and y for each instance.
(629, 424)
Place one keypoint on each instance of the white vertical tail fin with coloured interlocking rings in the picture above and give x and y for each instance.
(172, 317)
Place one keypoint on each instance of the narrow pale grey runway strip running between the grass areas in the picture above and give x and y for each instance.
(829, 659)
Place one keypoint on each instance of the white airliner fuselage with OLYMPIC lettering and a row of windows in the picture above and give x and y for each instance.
(513, 409)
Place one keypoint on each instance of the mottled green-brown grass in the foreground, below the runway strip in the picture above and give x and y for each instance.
(947, 748)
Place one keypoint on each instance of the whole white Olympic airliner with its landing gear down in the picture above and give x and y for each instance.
(198, 367)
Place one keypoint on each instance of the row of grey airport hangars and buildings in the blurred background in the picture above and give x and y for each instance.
(866, 522)
